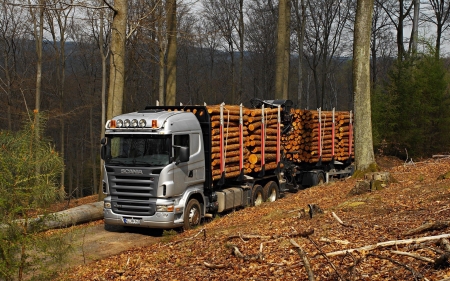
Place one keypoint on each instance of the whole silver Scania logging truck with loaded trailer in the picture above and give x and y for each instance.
(172, 166)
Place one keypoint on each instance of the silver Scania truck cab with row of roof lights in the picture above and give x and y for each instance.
(154, 169)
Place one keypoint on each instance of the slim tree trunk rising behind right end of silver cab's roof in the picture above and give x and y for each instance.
(171, 86)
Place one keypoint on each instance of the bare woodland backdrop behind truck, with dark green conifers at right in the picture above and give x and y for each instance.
(55, 61)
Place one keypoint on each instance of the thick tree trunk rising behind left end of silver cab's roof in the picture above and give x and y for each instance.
(117, 59)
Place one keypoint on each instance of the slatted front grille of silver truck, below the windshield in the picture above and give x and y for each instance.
(131, 193)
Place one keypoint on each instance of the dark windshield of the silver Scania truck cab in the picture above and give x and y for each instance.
(138, 150)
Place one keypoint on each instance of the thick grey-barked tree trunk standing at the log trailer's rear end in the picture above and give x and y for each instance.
(364, 155)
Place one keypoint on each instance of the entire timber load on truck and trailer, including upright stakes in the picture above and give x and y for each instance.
(256, 134)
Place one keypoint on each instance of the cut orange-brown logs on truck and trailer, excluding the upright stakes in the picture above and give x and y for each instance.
(300, 144)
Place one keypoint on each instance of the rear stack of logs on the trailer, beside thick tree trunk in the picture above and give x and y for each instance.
(302, 144)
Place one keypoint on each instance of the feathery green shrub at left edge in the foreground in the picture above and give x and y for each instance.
(29, 168)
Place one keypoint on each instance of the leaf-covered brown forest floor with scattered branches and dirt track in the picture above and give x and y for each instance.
(257, 243)
